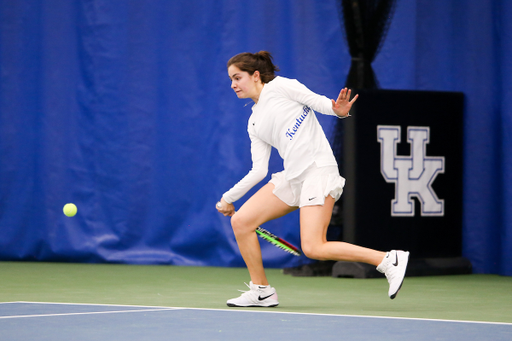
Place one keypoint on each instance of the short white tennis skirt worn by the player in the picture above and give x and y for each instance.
(310, 188)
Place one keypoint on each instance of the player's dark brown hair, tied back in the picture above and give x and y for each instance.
(251, 62)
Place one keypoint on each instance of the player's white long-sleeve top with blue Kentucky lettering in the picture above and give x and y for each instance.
(284, 118)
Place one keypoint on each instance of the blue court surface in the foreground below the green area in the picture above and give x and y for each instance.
(54, 321)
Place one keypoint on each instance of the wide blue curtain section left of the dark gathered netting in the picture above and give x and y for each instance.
(125, 108)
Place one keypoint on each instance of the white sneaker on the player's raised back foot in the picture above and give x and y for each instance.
(394, 266)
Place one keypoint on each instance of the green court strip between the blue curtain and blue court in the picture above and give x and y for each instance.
(466, 298)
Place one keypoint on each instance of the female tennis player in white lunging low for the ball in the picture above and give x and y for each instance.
(283, 117)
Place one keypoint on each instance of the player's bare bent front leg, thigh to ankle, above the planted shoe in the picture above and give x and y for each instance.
(263, 206)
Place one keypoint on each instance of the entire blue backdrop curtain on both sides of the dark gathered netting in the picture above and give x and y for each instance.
(125, 108)
